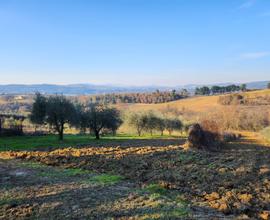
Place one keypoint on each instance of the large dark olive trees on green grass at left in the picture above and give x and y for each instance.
(58, 112)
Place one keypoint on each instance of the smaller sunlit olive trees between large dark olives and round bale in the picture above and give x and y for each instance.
(149, 122)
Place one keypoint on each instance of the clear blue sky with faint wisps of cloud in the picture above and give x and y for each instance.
(134, 42)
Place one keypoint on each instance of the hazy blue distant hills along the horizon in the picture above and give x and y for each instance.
(87, 89)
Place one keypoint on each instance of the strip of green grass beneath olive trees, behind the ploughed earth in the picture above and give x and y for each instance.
(36, 142)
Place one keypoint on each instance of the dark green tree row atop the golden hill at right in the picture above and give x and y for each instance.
(205, 90)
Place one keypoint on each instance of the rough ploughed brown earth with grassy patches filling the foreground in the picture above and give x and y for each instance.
(138, 181)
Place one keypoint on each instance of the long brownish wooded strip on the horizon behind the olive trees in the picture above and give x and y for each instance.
(147, 98)
